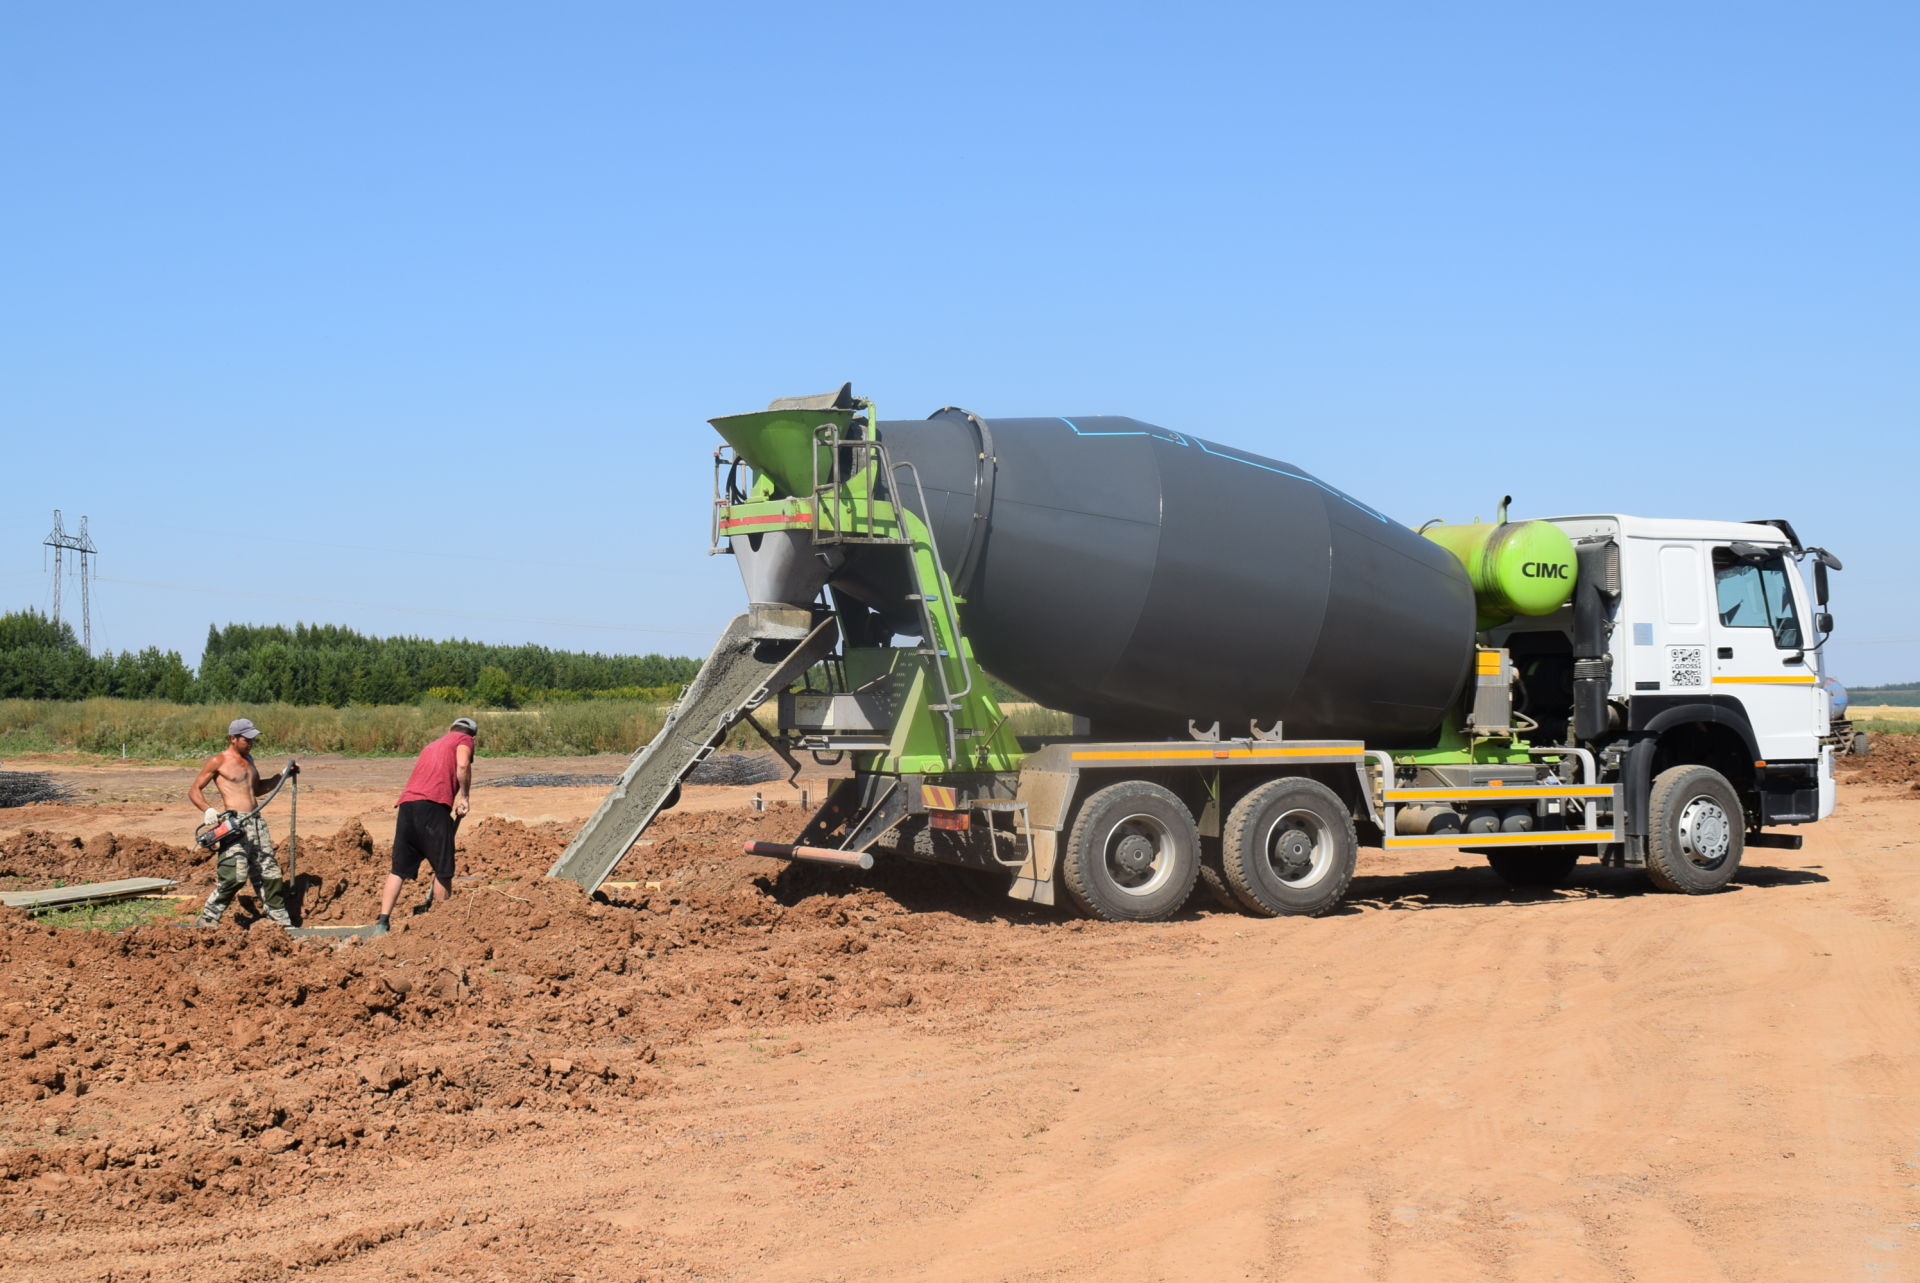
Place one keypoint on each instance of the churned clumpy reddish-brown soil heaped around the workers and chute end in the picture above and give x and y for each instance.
(252, 1063)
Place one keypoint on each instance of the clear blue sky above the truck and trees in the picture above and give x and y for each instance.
(410, 316)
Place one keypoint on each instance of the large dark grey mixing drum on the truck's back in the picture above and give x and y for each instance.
(1141, 577)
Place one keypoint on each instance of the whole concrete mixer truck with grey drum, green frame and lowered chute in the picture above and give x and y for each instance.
(1262, 671)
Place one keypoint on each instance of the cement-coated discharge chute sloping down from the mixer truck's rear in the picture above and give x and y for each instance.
(744, 669)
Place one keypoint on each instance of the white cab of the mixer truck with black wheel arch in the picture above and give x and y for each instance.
(1706, 639)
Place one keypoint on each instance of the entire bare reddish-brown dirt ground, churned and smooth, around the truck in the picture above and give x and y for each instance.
(740, 1071)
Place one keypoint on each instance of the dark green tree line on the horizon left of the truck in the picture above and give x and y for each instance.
(322, 666)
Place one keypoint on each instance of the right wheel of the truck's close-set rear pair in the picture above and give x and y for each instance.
(1289, 850)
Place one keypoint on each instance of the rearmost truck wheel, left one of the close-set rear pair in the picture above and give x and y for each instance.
(1134, 854)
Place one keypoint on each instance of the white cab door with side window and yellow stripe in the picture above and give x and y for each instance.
(1758, 637)
